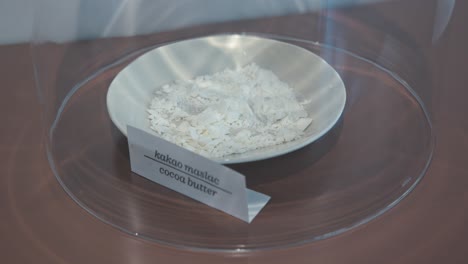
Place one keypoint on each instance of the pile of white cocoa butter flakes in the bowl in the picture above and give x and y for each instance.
(230, 112)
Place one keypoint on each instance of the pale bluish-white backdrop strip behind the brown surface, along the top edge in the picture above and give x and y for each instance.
(64, 20)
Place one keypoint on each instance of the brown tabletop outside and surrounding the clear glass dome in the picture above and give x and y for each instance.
(41, 224)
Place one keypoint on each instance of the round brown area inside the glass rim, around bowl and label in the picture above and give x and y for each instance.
(370, 160)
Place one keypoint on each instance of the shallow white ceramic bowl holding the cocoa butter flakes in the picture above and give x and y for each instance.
(131, 91)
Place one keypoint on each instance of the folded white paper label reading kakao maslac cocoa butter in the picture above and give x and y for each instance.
(193, 175)
